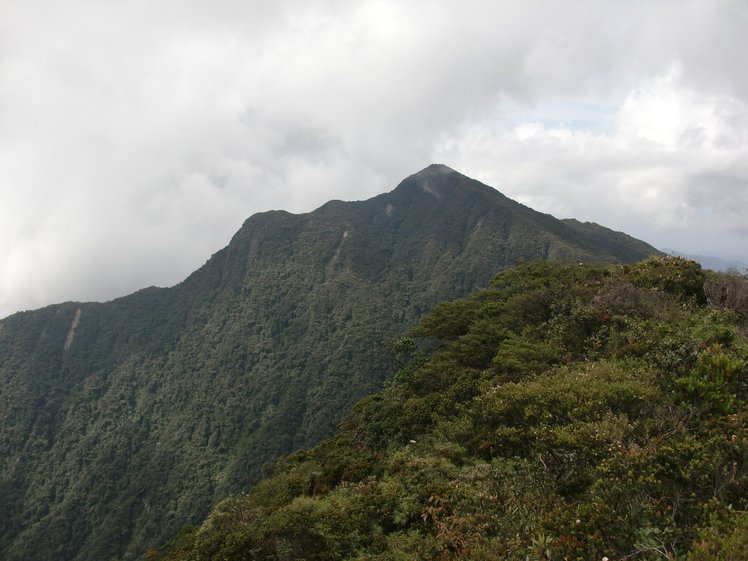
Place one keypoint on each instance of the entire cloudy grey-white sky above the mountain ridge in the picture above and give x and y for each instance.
(135, 137)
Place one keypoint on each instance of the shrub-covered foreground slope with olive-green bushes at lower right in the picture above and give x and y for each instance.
(567, 412)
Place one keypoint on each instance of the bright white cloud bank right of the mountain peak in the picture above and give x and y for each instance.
(672, 164)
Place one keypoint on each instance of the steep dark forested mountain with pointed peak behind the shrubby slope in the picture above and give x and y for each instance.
(121, 422)
